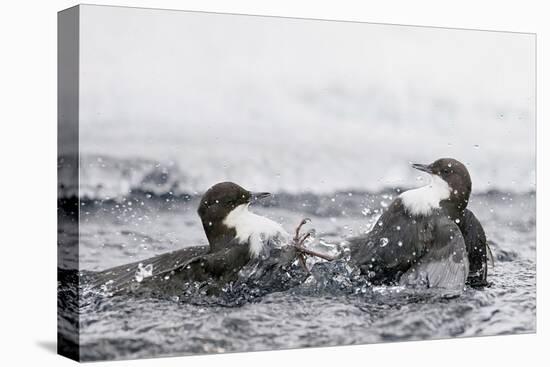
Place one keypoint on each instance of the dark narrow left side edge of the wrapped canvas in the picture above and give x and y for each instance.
(68, 319)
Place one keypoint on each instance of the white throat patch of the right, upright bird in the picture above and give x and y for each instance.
(423, 200)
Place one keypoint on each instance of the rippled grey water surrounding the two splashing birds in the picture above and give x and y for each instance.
(325, 310)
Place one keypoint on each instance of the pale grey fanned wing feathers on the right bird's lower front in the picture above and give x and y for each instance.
(445, 263)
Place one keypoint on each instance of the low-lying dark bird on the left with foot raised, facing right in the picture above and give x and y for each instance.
(236, 236)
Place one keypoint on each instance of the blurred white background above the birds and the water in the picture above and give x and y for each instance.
(302, 105)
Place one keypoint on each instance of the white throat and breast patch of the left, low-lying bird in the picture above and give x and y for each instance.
(253, 228)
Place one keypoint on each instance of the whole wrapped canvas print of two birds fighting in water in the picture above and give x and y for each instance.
(236, 183)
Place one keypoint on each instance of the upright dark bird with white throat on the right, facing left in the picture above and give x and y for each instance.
(427, 237)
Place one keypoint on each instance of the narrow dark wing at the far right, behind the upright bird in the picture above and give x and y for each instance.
(477, 247)
